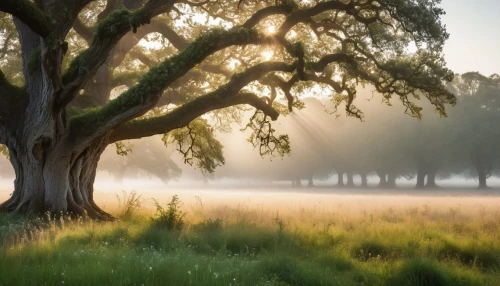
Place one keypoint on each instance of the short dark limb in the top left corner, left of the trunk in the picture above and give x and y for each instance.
(29, 14)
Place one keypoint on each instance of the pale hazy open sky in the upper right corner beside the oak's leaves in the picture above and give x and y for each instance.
(474, 27)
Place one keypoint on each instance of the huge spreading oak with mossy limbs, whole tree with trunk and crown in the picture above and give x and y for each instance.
(87, 82)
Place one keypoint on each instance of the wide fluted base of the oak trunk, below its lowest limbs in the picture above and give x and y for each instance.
(55, 181)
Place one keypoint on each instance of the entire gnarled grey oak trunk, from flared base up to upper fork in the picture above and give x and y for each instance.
(54, 169)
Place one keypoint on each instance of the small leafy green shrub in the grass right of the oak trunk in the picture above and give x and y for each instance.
(170, 218)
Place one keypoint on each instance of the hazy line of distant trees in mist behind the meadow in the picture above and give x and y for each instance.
(388, 143)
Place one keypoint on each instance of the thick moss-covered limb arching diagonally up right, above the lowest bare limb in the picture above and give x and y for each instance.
(140, 98)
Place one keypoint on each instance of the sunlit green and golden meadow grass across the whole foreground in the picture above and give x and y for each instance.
(240, 245)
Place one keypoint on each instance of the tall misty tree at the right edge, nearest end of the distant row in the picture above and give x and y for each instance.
(475, 131)
